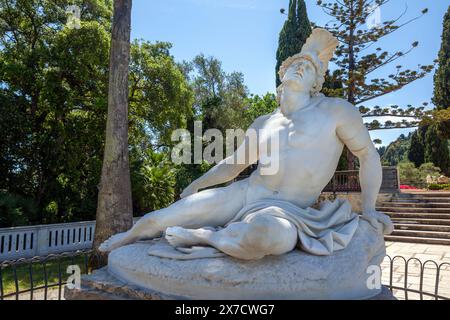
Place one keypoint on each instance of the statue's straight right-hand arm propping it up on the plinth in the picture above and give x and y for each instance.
(354, 134)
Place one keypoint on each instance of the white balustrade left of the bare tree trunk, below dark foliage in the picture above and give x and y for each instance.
(27, 242)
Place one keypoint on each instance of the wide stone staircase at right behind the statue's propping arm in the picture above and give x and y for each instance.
(419, 217)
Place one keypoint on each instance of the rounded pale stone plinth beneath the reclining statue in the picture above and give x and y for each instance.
(296, 275)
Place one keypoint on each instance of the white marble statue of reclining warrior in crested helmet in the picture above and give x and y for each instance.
(273, 214)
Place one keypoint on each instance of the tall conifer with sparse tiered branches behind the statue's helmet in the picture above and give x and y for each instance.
(358, 57)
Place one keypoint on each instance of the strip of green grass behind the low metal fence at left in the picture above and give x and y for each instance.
(38, 273)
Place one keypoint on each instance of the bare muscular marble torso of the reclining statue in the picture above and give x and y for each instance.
(309, 151)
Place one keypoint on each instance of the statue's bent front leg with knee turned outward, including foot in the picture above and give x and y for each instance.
(262, 236)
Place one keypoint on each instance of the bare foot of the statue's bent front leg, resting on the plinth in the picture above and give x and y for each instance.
(181, 237)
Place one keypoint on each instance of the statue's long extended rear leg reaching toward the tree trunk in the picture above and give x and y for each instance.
(213, 207)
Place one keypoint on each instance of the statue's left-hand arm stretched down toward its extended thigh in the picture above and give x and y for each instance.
(229, 168)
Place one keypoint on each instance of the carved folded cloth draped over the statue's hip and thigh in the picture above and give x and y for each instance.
(320, 231)
